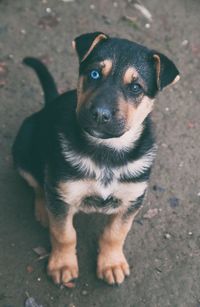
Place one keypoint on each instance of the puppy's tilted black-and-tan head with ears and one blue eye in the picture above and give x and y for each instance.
(118, 81)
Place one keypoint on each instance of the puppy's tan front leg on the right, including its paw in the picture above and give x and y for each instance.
(111, 264)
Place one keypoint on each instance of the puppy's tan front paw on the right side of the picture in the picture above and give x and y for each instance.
(112, 267)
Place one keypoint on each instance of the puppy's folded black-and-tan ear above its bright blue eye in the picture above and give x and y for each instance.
(85, 43)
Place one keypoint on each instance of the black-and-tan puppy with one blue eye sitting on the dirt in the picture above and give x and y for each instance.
(92, 149)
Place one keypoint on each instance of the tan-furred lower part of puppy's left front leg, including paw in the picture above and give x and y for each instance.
(63, 265)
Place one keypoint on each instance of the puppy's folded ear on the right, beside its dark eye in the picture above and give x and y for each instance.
(166, 71)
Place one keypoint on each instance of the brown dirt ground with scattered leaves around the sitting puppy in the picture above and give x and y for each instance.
(163, 247)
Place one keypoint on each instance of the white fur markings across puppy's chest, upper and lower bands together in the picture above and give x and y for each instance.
(74, 192)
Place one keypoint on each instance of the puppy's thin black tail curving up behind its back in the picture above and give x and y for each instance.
(46, 80)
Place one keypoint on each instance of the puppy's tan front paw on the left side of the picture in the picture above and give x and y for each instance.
(62, 268)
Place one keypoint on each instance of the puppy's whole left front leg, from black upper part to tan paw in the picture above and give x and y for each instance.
(63, 264)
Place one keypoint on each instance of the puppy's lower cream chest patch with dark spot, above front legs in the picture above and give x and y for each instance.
(105, 193)
